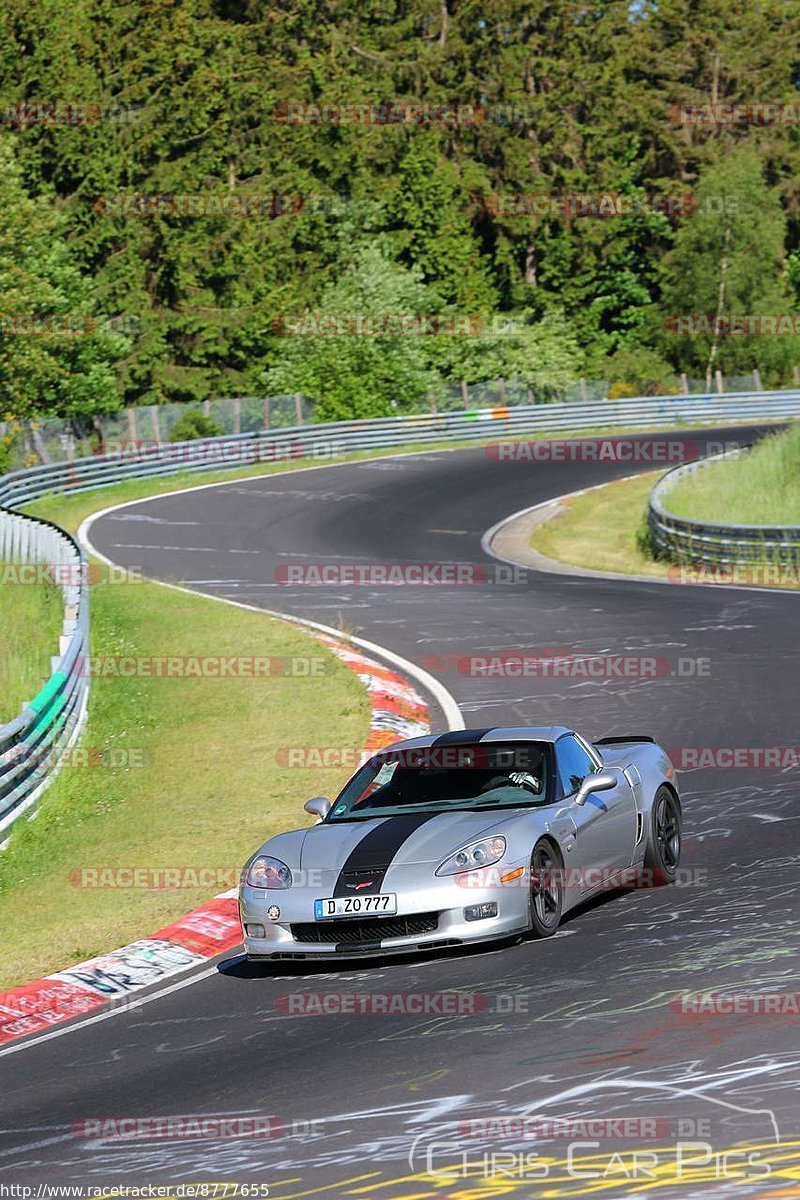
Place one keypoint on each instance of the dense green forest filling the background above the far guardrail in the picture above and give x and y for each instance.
(194, 99)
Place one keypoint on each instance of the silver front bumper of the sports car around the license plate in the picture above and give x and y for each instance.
(442, 897)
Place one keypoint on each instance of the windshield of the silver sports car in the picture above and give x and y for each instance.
(448, 778)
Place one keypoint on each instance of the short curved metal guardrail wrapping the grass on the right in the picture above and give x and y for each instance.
(687, 542)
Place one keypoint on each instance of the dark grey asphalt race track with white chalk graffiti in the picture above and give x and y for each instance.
(580, 1027)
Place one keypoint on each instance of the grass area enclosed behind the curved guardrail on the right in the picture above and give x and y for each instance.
(761, 488)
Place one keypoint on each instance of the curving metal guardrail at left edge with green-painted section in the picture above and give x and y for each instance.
(33, 746)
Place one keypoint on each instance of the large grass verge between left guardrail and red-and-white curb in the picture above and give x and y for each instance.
(183, 772)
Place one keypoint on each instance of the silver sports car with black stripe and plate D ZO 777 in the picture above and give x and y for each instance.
(464, 838)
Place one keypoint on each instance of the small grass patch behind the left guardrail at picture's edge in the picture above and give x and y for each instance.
(32, 617)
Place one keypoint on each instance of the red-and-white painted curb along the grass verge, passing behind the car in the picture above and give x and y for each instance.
(399, 712)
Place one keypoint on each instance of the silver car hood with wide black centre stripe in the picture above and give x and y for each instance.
(398, 841)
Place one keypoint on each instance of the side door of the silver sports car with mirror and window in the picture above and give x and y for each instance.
(605, 826)
